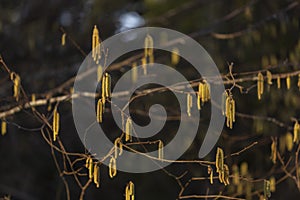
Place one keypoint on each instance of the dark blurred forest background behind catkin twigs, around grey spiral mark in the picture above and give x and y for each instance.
(253, 34)
